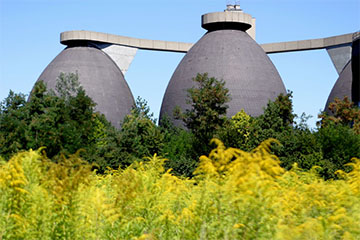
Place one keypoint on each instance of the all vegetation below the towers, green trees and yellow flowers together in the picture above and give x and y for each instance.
(66, 173)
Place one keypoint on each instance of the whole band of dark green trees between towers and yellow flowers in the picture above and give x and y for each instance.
(64, 122)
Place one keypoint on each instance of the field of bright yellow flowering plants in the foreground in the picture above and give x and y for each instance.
(234, 195)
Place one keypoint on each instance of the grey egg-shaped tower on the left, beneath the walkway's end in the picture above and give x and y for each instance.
(101, 78)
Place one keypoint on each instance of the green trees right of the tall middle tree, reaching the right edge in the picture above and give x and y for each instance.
(330, 147)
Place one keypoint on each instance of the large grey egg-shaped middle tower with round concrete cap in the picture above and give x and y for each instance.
(226, 52)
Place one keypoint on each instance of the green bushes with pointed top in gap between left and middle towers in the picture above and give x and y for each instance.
(138, 137)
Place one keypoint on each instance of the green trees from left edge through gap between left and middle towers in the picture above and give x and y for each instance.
(64, 121)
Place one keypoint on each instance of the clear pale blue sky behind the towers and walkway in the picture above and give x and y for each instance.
(30, 32)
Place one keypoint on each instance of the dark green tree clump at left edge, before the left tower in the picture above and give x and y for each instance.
(63, 121)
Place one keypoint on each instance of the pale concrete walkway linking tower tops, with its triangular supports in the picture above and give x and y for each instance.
(123, 49)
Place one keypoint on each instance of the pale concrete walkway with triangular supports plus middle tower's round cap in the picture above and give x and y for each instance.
(123, 49)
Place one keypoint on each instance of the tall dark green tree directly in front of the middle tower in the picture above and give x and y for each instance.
(207, 114)
